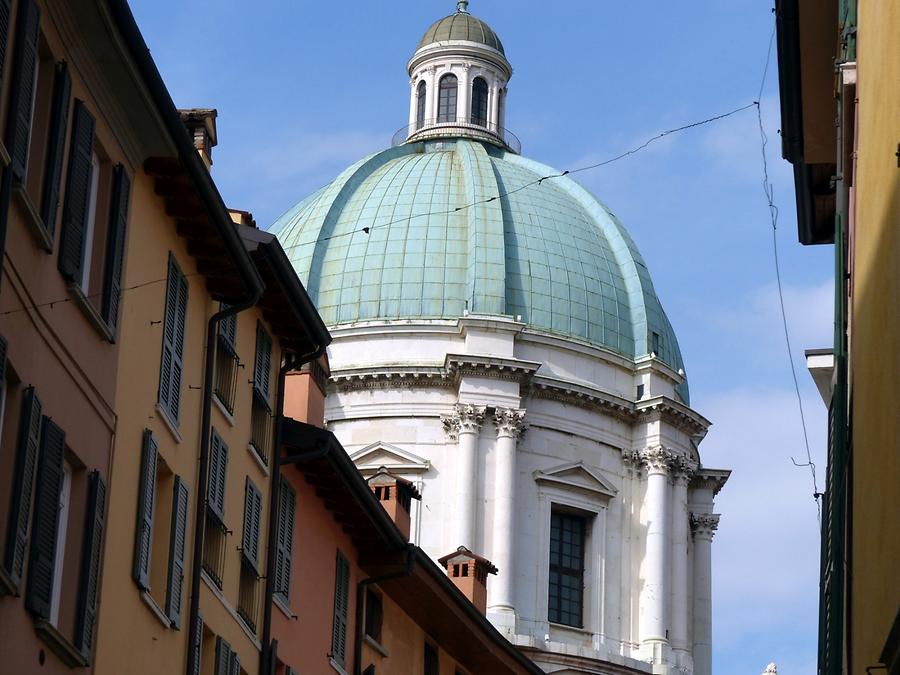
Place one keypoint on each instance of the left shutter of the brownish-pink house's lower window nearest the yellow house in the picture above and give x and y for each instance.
(42, 560)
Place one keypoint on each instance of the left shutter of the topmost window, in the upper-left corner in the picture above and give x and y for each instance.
(21, 97)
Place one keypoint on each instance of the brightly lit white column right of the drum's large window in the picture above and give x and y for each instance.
(654, 598)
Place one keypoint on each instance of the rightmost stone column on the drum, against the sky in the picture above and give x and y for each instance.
(704, 526)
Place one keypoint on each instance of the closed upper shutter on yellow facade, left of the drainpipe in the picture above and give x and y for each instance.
(173, 341)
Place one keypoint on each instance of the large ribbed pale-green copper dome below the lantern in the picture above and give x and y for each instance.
(550, 253)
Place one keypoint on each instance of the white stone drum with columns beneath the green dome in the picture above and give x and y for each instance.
(499, 426)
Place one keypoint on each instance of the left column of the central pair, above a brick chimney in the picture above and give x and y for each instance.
(465, 425)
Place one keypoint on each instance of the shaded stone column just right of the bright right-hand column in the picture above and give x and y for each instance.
(678, 630)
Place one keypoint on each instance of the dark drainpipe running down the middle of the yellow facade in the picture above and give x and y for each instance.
(205, 423)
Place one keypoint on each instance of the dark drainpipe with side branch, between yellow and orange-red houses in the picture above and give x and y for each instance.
(267, 655)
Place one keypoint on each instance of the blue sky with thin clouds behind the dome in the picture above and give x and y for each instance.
(303, 89)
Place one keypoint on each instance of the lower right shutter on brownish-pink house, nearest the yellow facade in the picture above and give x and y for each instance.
(91, 555)
